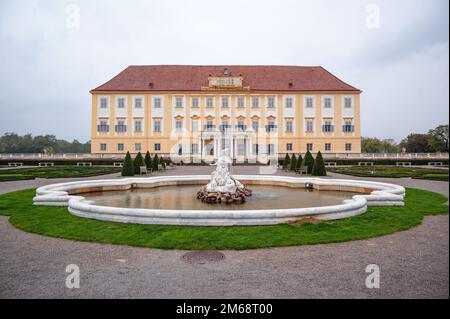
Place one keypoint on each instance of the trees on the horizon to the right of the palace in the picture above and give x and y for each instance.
(436, 140)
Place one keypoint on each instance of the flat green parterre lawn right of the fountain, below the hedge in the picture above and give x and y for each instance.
(393, 171)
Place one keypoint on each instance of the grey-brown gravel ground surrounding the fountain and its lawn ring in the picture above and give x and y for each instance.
(413, 264)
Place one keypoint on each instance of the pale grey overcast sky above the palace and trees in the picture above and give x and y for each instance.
(53, 52)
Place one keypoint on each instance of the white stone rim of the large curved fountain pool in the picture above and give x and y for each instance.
(70, 194)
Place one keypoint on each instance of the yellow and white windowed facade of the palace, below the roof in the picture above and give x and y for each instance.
(325, 112)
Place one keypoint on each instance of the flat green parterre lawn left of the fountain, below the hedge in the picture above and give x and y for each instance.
(54, 172)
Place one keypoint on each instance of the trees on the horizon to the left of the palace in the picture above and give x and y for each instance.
(48, 144)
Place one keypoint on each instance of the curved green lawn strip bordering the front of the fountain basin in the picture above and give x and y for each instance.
(58, 222)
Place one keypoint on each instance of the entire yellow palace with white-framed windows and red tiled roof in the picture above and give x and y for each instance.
(191, 112)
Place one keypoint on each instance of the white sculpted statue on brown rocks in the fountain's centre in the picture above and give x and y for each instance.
(223, 188)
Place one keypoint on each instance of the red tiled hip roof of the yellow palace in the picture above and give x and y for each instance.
(193, 77)
